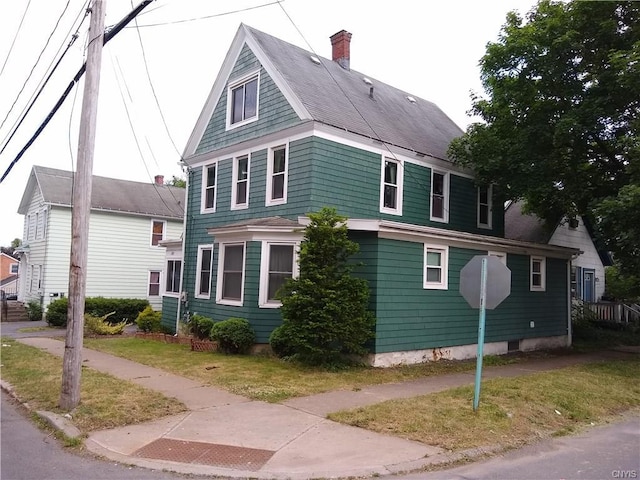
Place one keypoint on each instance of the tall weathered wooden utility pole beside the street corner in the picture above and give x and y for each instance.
(81, 207)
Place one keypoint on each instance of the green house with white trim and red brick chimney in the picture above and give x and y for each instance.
(285, 132)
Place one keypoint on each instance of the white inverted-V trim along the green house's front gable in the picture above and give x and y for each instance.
(219, 86)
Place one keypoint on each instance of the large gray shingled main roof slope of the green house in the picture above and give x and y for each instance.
(340, 98)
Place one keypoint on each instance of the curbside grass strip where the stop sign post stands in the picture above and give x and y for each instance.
(512, 411)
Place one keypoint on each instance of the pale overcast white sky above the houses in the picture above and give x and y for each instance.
(155, 78)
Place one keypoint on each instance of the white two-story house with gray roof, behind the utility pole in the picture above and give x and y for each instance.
(127, 222)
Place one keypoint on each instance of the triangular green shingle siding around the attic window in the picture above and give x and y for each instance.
(274, 112)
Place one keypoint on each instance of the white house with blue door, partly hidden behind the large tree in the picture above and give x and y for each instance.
(587, 269)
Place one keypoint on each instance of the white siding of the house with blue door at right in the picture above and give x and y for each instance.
(579, 238)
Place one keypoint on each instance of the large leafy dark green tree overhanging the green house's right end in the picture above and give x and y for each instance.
(561, 115)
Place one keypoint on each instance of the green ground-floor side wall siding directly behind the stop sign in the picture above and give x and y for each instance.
(412, 318)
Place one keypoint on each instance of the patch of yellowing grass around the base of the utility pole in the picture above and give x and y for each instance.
(105, 402)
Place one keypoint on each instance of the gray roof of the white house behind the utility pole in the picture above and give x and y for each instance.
(109, 194)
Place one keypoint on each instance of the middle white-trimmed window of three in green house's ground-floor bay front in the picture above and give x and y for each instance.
(230, 283)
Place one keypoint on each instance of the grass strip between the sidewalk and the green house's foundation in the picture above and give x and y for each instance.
(262, 377)
